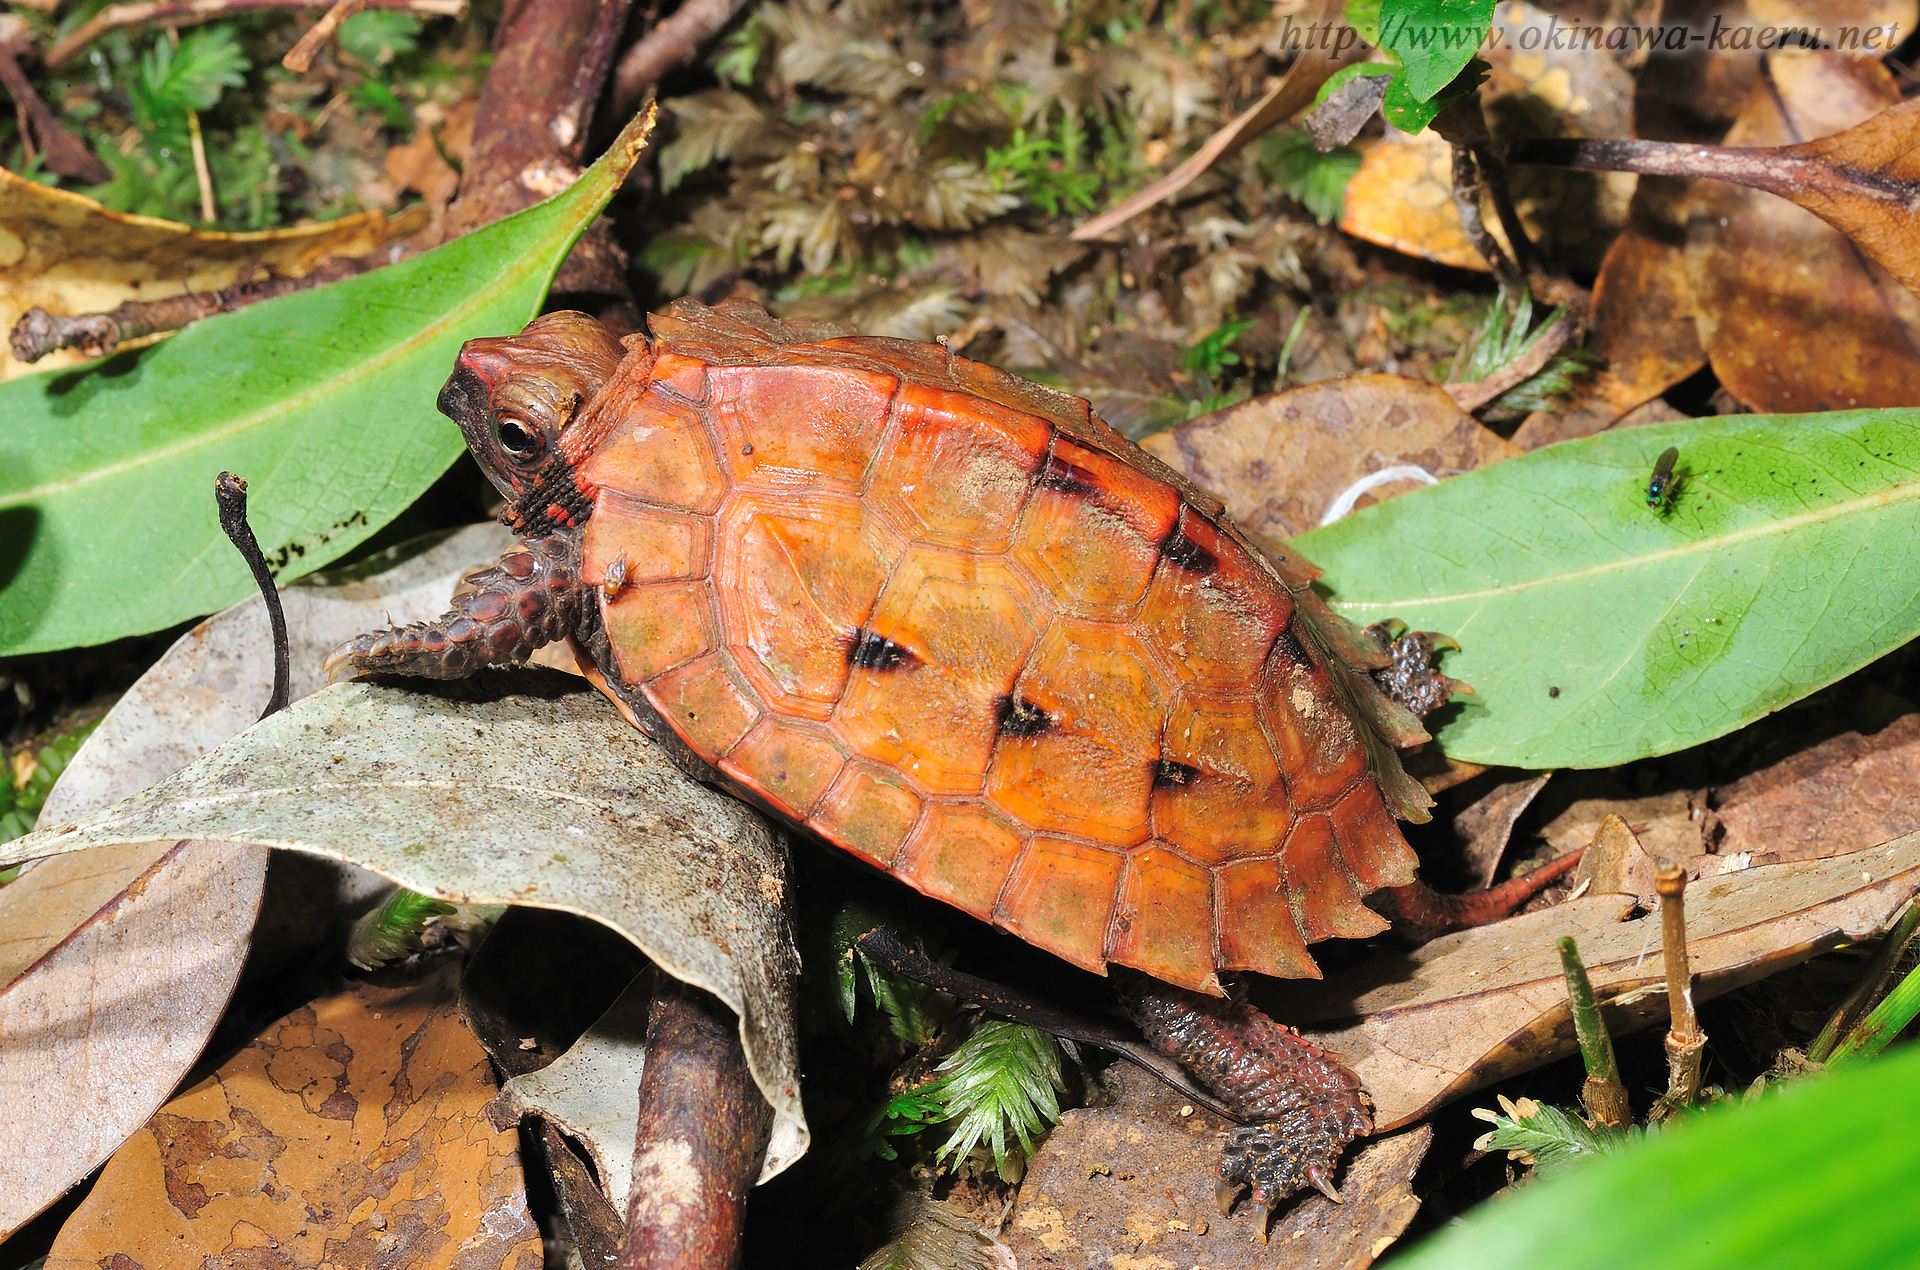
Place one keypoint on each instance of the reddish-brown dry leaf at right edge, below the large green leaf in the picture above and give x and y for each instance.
(1836, 796)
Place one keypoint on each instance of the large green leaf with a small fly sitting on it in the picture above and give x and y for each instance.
(1600, 631)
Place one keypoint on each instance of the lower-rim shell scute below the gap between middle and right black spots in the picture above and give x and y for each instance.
(1061, 898)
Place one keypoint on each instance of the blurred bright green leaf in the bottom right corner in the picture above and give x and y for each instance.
(1821, 1175)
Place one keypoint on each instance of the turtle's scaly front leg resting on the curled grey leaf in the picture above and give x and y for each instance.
(502, 614)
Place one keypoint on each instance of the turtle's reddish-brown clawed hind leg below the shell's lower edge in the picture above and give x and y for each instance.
(1301, 1104)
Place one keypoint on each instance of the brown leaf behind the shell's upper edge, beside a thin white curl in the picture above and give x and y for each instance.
(1280, 462)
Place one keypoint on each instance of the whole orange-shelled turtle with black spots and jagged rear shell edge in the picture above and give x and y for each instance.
(953, 623)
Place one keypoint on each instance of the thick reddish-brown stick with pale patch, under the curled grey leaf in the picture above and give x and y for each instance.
(704, 1133)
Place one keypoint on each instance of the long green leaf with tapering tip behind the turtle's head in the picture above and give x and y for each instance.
(324, 401)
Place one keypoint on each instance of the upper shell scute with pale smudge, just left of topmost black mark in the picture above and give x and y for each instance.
(957, 470)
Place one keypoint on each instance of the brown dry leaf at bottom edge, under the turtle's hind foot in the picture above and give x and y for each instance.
(1130, 1185)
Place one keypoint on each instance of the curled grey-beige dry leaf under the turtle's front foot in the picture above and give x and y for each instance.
(514, 789)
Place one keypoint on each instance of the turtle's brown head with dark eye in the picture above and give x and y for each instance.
(514, 397)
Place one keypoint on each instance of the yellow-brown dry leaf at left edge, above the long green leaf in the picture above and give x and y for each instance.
(68, 255)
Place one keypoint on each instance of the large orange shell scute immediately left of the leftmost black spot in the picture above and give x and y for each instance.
(805, 577)
